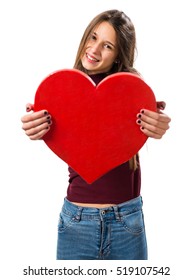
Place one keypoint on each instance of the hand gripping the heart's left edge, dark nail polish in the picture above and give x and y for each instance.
(36, 124)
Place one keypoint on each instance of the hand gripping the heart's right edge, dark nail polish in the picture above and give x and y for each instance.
(154, 124)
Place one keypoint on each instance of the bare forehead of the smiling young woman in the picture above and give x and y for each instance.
(105, 31)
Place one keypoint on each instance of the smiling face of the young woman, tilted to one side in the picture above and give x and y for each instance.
(100, 51)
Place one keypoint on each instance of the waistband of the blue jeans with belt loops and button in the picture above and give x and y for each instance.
(117, 211)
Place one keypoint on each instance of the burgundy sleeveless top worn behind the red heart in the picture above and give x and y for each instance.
(116, 186)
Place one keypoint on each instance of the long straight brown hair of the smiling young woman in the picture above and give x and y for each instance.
(126, 44)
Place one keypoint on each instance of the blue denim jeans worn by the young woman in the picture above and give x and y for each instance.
(113, 233)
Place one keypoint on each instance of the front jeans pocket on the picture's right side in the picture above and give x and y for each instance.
(134, 222)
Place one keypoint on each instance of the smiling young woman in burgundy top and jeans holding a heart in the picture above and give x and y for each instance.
(104, 220)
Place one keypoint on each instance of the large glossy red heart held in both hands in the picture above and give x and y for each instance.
(94, 127)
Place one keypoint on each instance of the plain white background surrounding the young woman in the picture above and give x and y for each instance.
(39, 37)
